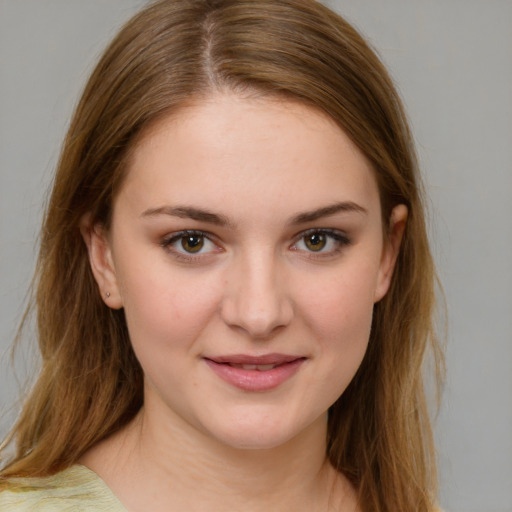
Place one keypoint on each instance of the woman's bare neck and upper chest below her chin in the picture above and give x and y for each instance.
(179, 468)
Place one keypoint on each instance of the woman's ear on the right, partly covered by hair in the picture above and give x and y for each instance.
(391, 249)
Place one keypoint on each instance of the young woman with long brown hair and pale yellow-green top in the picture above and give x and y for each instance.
(234, 289)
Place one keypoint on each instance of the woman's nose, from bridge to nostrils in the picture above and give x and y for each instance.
(256, 298)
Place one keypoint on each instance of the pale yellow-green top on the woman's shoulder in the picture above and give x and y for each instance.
(75, 489)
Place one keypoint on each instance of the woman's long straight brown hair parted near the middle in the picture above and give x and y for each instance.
(90, 383)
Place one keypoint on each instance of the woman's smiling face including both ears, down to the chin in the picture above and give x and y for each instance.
(246, 249)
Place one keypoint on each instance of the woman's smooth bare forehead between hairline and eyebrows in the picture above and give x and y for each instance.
(226, 149)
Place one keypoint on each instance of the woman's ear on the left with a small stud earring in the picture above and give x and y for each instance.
(101, 261)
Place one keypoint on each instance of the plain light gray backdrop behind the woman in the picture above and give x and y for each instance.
(452, 60)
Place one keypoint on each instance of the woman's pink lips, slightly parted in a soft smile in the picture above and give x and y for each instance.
(255, 373)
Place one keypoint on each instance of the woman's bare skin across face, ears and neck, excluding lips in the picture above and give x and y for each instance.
(256, 287)
